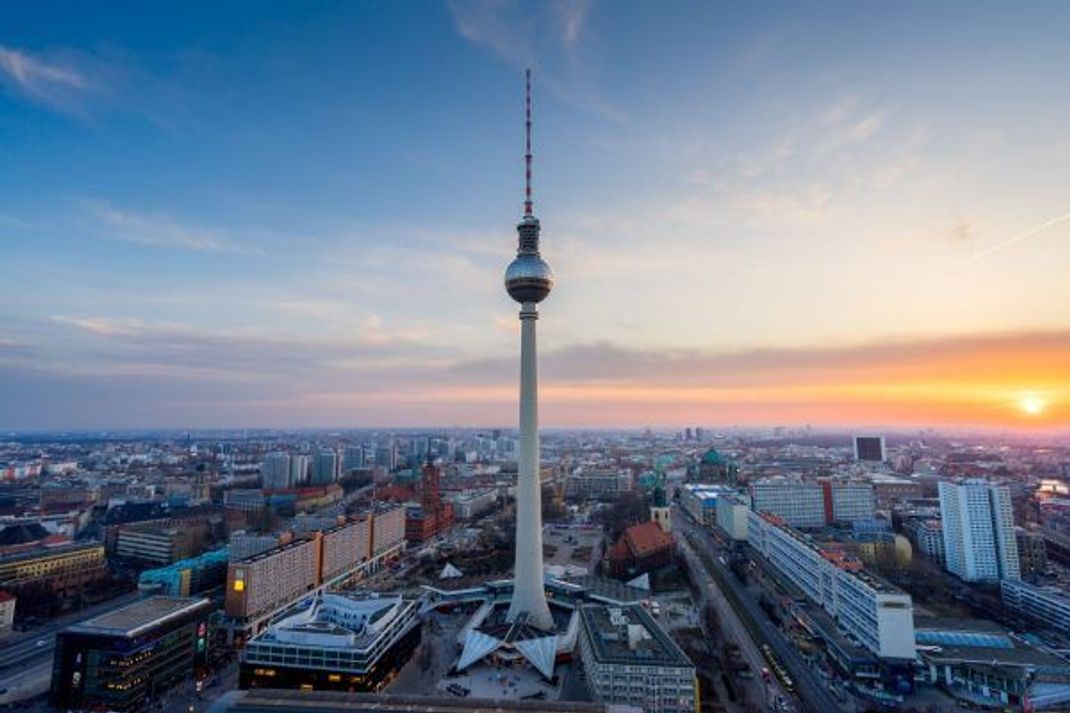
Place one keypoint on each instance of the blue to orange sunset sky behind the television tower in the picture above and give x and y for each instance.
(252, 215)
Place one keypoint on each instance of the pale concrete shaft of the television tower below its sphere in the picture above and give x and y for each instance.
(529, 594)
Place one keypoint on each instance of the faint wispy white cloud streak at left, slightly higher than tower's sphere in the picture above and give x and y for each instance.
(162, 232)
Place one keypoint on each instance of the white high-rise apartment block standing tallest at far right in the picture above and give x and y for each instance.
(979, 524)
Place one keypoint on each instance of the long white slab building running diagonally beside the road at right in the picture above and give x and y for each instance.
(867, 610)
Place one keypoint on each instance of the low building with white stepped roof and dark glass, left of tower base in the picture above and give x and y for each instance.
(337, 643)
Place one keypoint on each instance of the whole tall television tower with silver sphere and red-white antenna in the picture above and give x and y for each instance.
(528, 281)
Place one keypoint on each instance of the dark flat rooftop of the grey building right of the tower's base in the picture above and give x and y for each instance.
(630, 636)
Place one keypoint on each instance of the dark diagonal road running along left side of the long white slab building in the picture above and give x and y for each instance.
(813, 694)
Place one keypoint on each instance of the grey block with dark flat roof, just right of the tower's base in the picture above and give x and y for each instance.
(629, 660)
